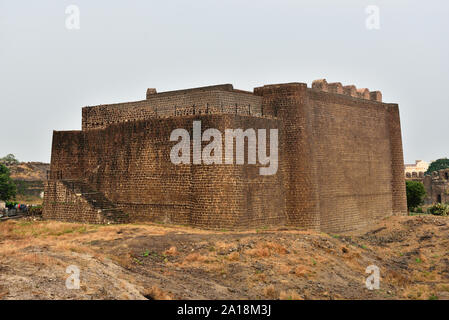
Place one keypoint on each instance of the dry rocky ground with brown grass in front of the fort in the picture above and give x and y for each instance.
(151, 261)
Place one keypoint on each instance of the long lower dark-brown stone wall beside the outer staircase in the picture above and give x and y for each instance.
(129, 163)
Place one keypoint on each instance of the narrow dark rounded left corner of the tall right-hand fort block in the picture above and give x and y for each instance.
(288, 102)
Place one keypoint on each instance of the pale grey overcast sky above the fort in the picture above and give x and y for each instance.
(48, 72)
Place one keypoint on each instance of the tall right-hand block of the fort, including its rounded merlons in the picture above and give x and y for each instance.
(343, 162)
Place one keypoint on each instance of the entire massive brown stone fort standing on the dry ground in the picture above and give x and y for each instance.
(340, 160)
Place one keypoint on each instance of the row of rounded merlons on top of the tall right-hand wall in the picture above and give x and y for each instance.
(350, 90)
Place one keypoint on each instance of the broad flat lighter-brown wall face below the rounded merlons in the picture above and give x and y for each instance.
(352, 152)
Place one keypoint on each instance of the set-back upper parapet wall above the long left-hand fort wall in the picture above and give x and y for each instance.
(216, 99)
